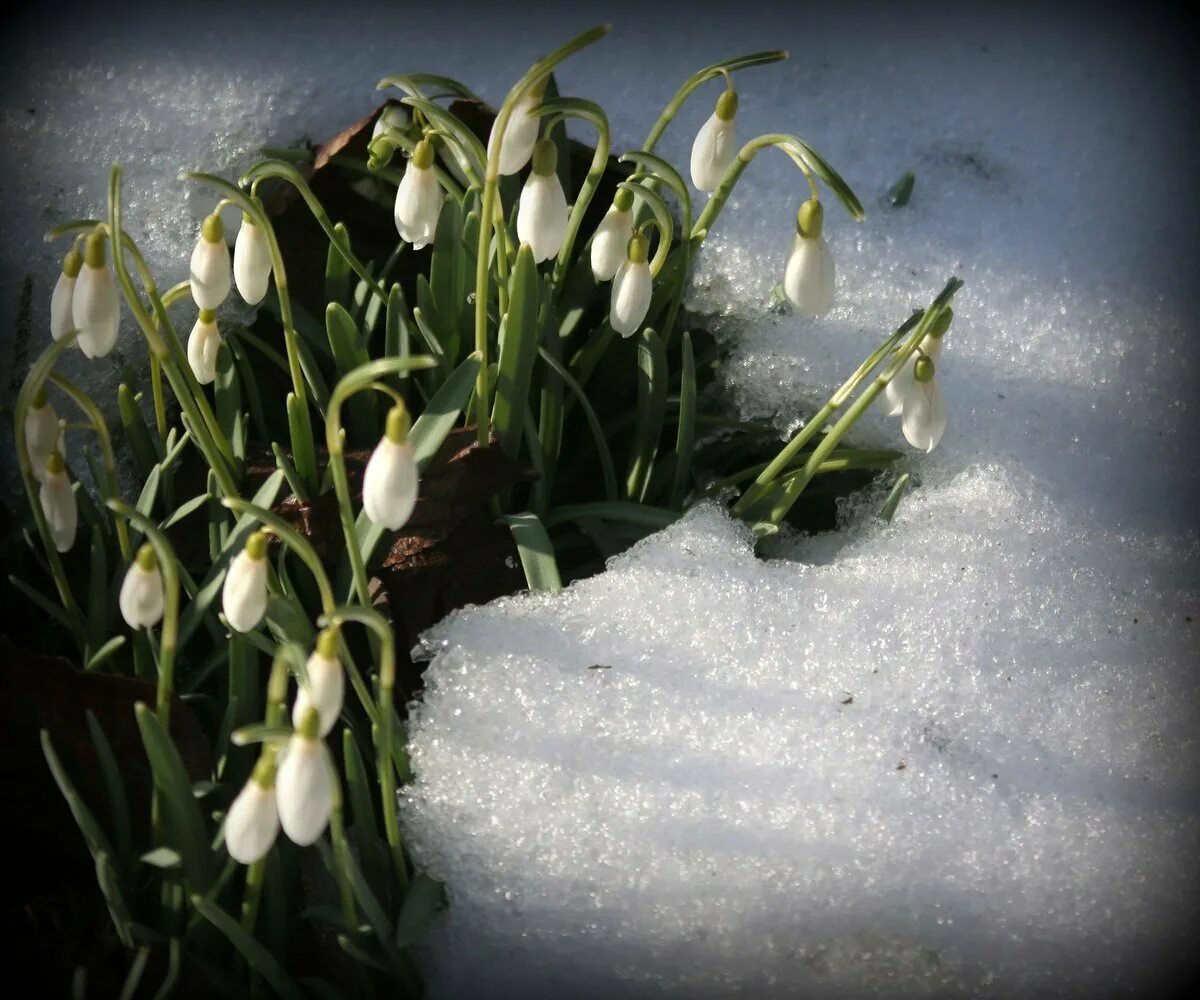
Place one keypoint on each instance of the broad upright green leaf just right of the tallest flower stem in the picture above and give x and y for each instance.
(519, 348)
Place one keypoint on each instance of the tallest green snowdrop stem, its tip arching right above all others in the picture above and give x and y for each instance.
(538, 73)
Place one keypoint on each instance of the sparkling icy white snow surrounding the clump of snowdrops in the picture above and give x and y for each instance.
(685, 777)
